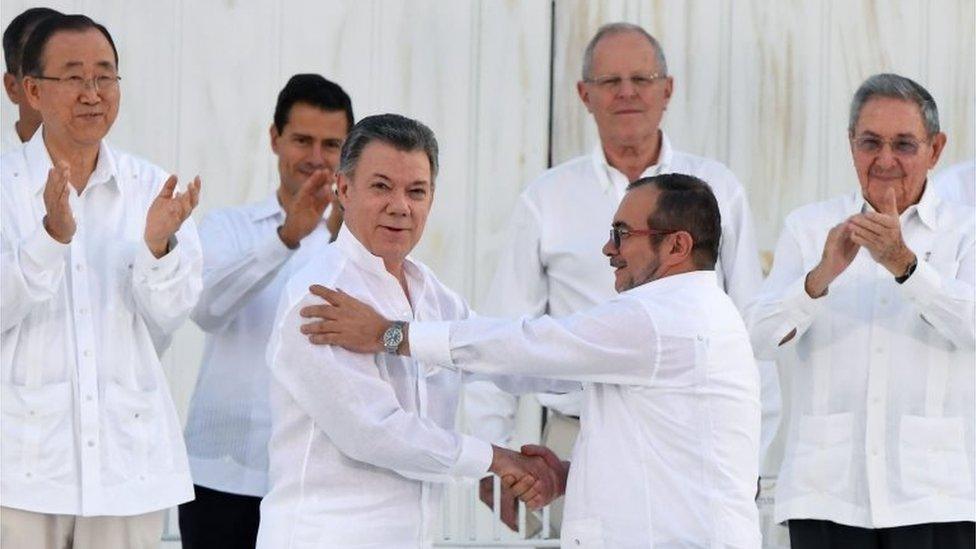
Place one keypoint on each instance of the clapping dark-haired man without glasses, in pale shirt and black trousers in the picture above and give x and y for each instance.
(248, 254)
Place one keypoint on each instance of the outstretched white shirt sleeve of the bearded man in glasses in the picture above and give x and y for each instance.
(615, 342)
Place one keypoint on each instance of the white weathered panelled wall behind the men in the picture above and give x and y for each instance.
(762, 85)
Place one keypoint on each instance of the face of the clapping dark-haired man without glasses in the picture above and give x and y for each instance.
(310, 140)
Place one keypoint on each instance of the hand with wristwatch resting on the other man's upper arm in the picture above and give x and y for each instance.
(344, 321)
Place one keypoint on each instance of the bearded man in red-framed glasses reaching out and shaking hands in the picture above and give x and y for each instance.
(670, 422)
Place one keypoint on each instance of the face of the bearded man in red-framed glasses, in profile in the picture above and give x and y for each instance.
(636, 261)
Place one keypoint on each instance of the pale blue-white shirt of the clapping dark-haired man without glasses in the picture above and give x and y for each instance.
(245, 268)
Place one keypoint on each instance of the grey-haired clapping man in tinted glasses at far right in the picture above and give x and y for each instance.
(869, 311)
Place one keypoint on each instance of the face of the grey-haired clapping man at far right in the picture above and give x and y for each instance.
(892, 121)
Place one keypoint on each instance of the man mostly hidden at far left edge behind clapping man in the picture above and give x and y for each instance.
(14, 37)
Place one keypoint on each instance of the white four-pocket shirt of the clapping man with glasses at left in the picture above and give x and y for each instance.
(89, 426)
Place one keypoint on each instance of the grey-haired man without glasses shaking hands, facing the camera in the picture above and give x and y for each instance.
(361, 444)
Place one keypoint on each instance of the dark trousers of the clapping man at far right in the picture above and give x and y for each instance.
(822, 534)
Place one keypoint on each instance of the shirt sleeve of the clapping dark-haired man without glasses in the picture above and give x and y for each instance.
(233, 274)
